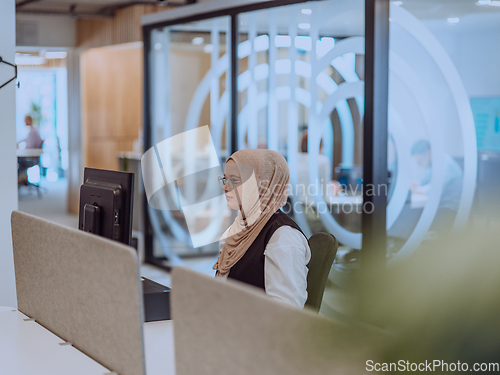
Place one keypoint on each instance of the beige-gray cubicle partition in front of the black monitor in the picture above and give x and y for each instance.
(83, 288)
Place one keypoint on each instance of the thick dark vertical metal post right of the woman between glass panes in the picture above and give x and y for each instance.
(375, 174)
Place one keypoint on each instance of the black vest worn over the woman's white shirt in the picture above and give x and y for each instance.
(250, 268)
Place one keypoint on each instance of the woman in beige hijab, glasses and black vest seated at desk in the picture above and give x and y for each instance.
(263, 247)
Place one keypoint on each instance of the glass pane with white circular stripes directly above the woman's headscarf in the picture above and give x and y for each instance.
(300, 92)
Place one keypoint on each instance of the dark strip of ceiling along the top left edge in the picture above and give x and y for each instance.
(86, 7)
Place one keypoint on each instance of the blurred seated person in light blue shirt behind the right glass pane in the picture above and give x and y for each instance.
(452, 185)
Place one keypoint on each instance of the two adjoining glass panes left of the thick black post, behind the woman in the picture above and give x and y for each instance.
(293, 82)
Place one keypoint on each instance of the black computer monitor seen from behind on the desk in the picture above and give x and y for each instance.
(106, 201)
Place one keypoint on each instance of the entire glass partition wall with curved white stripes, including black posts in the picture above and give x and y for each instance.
(301, 78)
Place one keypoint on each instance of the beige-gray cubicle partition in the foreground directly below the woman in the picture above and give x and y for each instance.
(225, 327)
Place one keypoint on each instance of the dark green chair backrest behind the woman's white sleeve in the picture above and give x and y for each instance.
(323, 250)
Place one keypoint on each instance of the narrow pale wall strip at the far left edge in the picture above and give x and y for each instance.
(8, 160)
